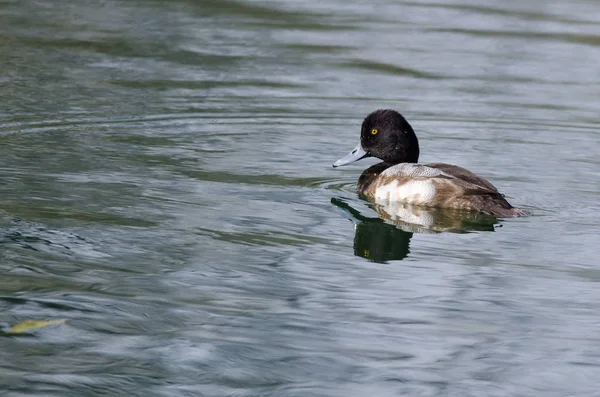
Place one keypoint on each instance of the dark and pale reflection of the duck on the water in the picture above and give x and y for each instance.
(387, 237)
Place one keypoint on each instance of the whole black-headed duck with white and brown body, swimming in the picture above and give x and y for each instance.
(386, 135)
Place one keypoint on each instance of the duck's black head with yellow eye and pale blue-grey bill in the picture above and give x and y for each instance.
(385, 134)
